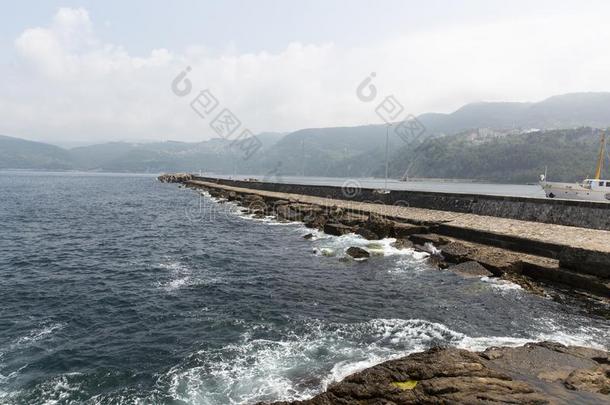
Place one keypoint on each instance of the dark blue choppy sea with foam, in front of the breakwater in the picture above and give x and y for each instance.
(119, 289)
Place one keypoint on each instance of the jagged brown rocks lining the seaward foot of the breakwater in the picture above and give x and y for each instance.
(465, 258)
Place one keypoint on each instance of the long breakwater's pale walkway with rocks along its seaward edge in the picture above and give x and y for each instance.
(474, 245)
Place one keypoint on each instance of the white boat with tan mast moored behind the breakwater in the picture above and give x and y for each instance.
(595, 189)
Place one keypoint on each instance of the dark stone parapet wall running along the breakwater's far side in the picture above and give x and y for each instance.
(583, 214)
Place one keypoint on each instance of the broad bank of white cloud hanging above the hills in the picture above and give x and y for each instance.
(70, 85)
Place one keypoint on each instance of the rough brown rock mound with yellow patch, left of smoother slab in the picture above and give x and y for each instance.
(436, 376)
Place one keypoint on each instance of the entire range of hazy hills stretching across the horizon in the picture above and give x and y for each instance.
(474, 141)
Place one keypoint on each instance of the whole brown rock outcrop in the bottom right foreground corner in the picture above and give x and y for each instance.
(536, 373)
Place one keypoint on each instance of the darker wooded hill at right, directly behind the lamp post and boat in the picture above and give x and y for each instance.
(569, 154)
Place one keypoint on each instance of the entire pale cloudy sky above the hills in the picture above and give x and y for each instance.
(82, 72)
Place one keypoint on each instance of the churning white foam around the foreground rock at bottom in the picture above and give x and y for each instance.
(304, 362)
